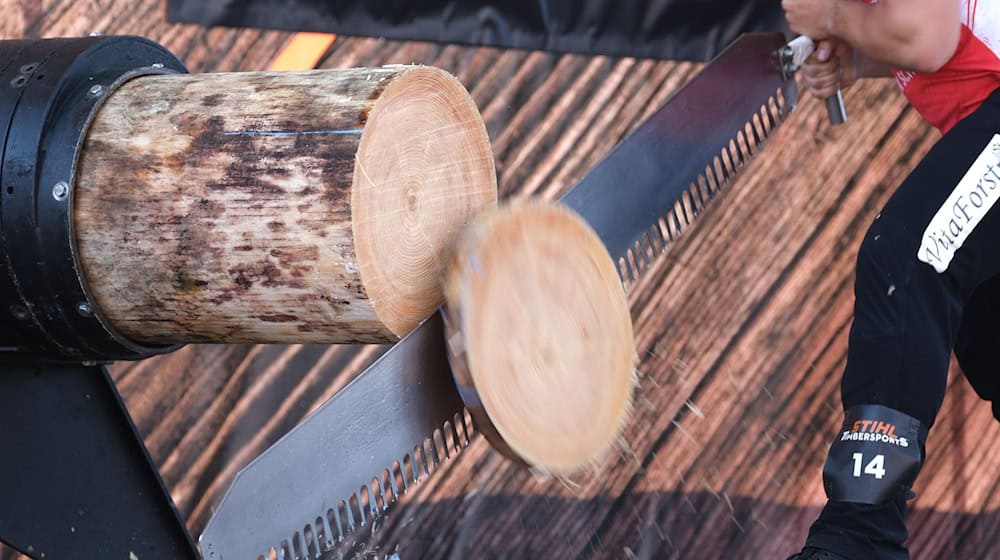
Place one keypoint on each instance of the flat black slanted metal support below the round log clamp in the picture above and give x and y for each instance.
(76, 480)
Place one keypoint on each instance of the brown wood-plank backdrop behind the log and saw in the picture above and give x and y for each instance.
(742, 328)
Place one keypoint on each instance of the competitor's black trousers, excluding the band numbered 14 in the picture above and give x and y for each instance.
(910, 316)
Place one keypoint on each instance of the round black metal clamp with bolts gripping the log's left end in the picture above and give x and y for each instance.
(50, 90)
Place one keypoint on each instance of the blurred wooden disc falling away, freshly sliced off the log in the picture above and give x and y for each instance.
(540, 336)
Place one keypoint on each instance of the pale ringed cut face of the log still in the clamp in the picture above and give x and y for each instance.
(424, 168)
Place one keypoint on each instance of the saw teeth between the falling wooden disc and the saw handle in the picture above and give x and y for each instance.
(732, 158)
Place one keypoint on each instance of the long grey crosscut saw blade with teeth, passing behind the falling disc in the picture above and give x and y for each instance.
(348, 461)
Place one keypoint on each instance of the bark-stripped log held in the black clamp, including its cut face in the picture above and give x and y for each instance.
(278, 207)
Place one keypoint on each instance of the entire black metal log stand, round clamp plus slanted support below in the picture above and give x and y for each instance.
(77, 480)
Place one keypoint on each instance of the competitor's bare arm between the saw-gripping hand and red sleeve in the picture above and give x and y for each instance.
(917, 35)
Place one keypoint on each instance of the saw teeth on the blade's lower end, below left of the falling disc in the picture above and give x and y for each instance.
(371, 501)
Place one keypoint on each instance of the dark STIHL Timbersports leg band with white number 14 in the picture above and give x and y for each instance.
(876, 456)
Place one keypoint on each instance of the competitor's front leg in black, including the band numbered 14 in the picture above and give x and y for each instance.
(912, 283)
